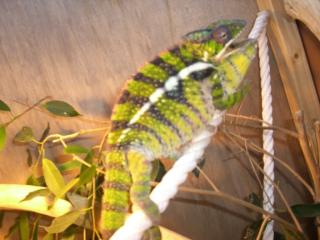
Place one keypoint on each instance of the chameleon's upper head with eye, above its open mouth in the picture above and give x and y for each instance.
(207, 42)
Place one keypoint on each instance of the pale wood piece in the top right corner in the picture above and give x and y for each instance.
(307, 11)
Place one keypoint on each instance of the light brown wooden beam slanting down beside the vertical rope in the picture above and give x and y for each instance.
(292, 62)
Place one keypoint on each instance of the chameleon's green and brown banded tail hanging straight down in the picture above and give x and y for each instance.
(115, 201)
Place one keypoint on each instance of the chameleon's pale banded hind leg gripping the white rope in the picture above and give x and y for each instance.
(140, 169)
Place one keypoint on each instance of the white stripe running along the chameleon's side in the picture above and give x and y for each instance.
(170, 84)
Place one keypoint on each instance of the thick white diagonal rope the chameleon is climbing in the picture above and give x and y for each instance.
(138, 222)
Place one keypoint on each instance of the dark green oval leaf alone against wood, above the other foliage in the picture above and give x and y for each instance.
(60, 108)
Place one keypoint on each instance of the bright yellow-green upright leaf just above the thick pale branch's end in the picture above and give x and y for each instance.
(52, 176)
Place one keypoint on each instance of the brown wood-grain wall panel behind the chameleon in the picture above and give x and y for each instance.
(83, 51)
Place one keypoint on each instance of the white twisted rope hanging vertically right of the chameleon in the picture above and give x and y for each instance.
(268, 144)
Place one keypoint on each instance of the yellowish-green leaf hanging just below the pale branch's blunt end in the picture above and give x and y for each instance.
(60, 224)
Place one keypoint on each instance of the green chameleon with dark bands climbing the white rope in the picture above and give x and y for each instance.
(162, 107)
